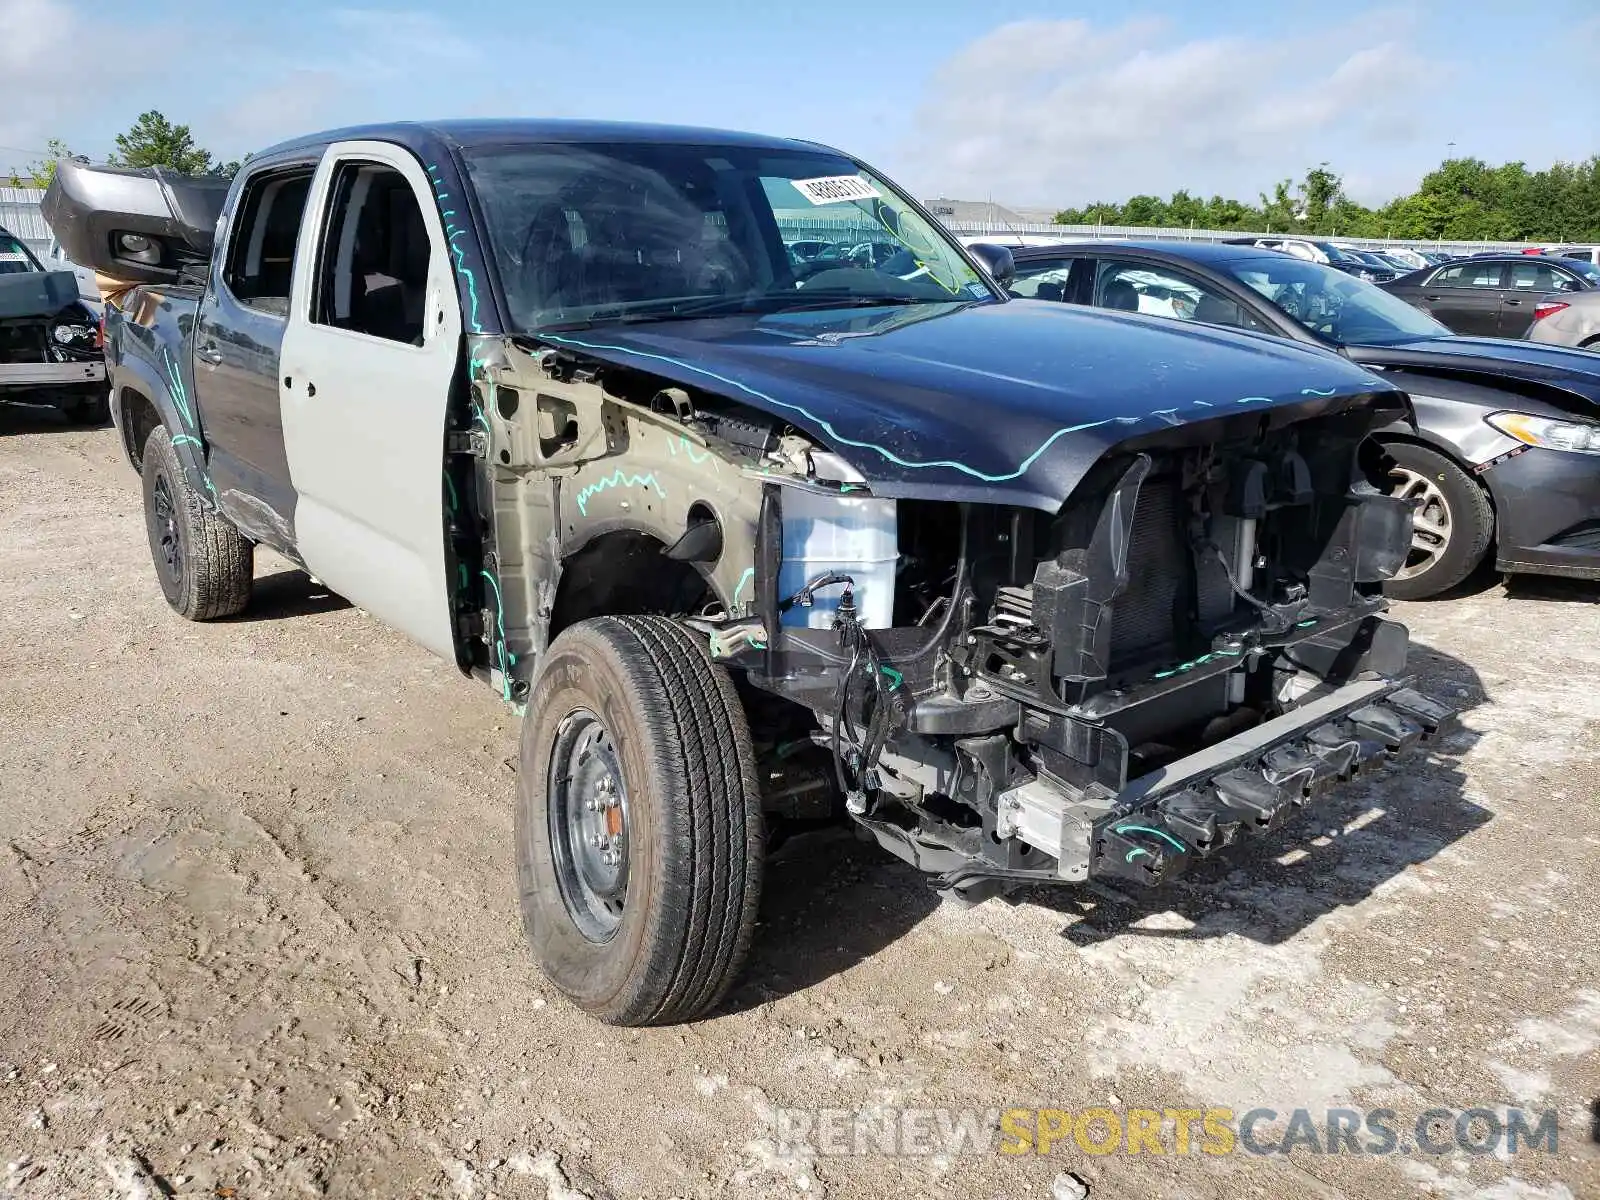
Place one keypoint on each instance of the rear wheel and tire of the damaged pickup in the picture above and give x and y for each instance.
(204, 564)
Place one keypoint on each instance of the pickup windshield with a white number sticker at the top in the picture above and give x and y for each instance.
(591, 234)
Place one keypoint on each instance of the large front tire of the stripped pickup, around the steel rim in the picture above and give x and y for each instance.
(692, 822)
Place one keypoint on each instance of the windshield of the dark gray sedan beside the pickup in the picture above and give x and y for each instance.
(1334, 305)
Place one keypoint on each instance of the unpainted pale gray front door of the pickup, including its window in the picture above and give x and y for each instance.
(369, 361)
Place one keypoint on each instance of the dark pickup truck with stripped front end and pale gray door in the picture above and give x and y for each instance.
(1031, 594)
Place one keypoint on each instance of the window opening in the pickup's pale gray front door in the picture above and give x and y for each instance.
(372, 276)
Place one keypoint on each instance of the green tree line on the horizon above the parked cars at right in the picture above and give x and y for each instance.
(1460, 201)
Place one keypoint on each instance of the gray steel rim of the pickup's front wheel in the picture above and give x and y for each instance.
(588, 818)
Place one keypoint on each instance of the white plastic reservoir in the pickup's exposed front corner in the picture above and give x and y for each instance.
(852, 535)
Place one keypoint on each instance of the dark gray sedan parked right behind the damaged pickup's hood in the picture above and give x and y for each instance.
(1506, 454)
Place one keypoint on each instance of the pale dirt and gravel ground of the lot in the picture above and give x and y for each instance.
(258, 932)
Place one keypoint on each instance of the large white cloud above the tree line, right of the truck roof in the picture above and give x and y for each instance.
(1070, 111)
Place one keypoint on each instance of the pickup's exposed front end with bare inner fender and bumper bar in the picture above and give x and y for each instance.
(1188, 650)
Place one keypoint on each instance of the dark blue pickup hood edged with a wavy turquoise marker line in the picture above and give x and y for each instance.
(1006, 402)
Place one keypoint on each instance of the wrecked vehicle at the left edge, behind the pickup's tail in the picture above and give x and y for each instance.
(50, 342)
